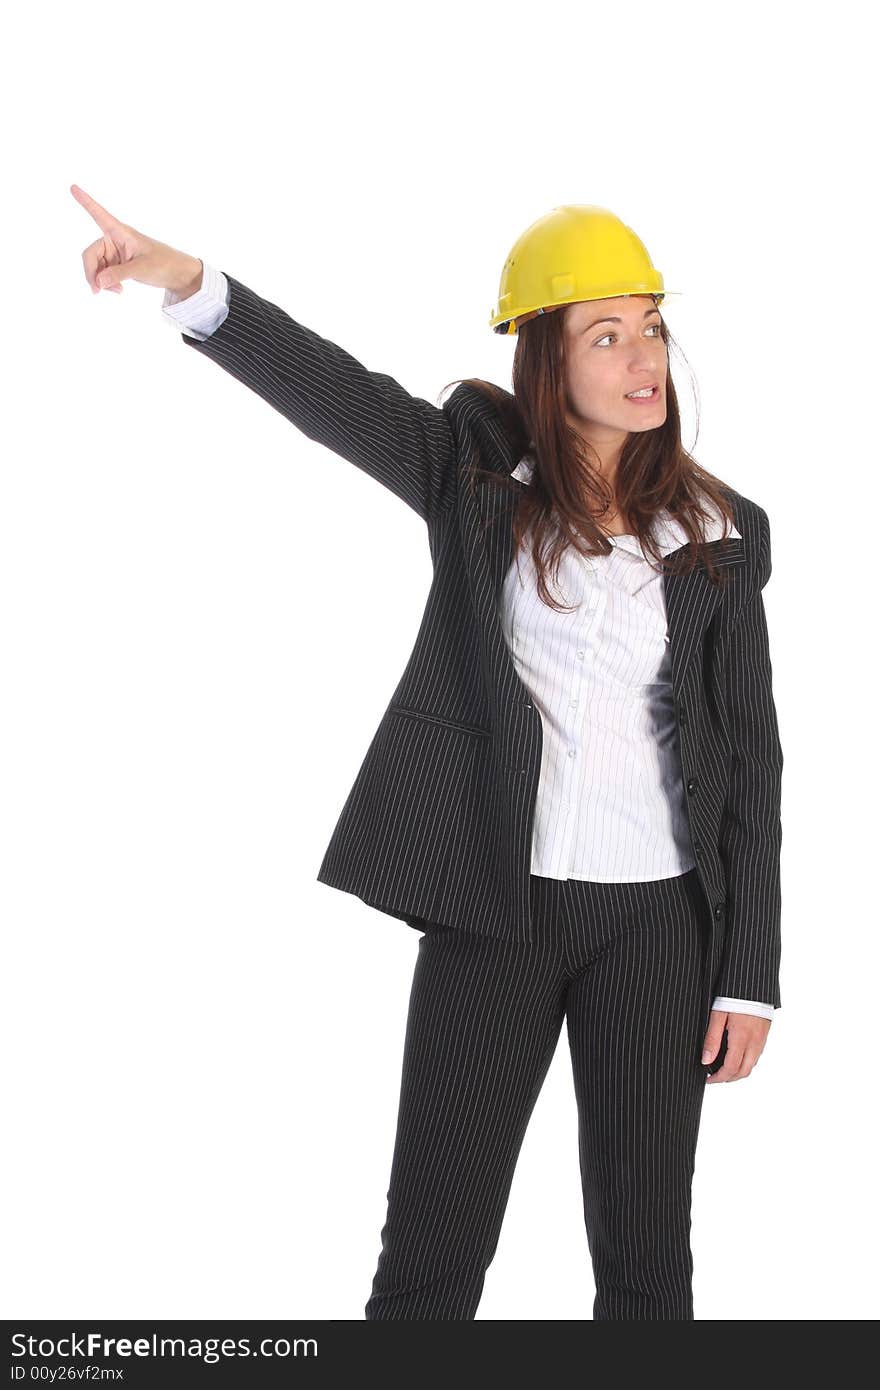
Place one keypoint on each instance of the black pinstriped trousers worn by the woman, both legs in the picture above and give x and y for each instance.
(624, 964)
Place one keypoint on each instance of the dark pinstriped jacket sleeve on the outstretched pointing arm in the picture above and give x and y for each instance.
(365, 416)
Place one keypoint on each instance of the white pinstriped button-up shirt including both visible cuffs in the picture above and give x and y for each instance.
(611, 801)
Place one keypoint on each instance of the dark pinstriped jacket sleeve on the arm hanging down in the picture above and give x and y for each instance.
(751, 828)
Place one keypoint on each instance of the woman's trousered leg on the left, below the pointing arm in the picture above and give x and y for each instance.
(483, 1027)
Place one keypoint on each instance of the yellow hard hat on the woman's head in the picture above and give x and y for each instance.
(573, 254)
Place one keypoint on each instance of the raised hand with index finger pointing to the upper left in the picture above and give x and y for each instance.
(123, 254)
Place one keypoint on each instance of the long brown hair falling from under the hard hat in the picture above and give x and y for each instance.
(655, 471)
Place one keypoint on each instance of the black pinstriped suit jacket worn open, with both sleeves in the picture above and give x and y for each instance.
(437, 826)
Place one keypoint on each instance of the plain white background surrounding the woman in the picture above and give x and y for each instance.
(204, 615)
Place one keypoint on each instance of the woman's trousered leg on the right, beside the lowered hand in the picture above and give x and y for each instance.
(635, 1021)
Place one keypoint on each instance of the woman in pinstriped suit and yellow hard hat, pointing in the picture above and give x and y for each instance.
(573, 799)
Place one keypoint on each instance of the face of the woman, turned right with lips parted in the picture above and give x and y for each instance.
(608, 361)
